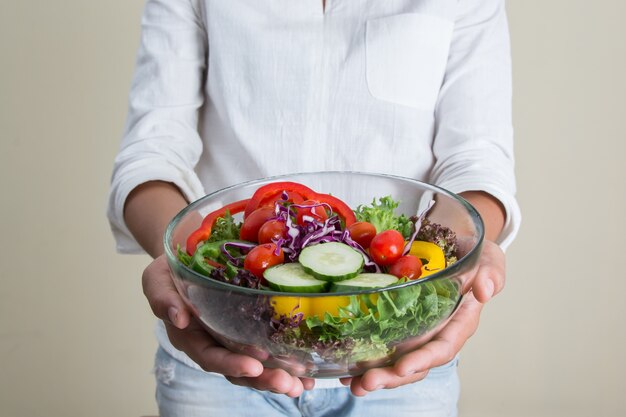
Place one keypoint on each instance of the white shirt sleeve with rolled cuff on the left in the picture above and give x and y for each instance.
(161, 140)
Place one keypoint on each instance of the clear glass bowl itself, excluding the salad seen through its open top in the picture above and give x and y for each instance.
(329, 335)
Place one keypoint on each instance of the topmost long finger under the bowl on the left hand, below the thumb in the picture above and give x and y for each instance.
(210, 355)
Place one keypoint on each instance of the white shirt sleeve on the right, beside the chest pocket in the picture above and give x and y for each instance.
(473, 144)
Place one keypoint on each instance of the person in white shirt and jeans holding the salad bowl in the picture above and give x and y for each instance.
(228, 91)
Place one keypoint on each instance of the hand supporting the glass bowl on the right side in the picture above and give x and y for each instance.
(414, 366)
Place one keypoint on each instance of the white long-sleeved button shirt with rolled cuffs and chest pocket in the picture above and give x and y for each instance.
(231, 90)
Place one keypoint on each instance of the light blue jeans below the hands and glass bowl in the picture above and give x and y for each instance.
(183, 391)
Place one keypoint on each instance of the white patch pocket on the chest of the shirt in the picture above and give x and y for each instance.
(406, 58)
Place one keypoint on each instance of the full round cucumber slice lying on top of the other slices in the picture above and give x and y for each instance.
(331, 261)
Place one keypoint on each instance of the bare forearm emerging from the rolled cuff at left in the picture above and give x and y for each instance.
(148, 210)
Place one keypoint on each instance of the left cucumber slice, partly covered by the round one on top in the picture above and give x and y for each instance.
(293, 278)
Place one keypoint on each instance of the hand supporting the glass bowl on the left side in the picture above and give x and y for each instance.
(187, 335)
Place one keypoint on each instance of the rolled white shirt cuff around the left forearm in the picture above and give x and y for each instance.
(135, 174)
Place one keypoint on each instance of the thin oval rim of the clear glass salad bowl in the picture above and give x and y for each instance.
(449, 271)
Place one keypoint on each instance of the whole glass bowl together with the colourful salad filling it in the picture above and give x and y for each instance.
(325, 274)
